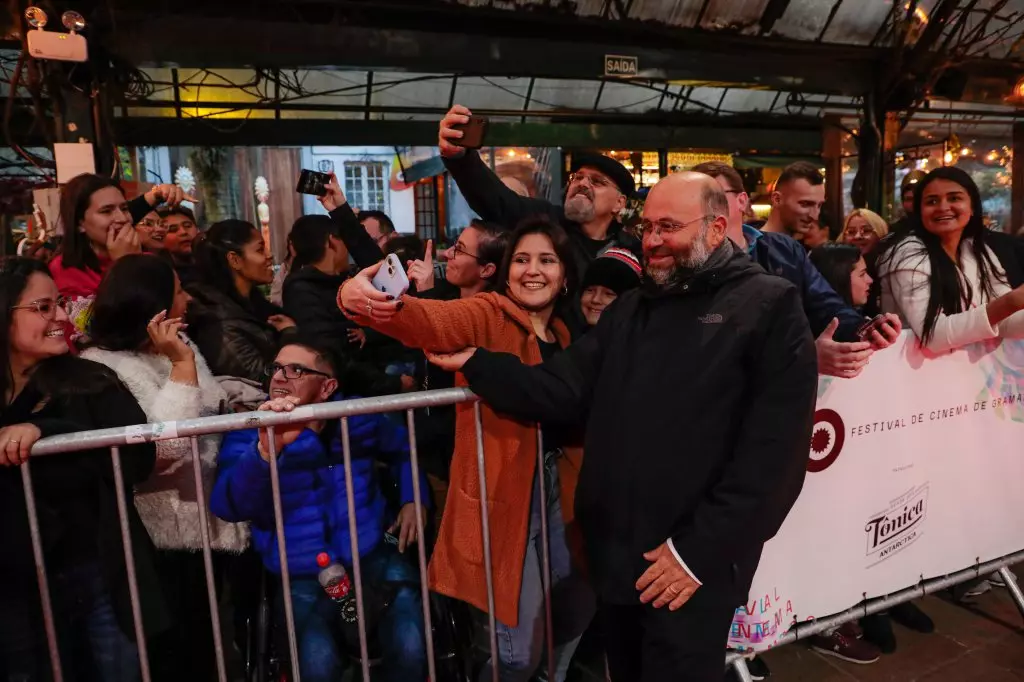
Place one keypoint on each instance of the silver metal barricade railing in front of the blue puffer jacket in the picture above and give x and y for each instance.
(115, 439)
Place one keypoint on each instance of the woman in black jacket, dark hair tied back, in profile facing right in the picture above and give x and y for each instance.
(236, 328)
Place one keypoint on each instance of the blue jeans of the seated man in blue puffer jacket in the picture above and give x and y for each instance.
(401, 633)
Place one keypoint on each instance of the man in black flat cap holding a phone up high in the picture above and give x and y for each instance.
(599, 190)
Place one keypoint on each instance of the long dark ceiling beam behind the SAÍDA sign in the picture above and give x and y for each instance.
(677, 56)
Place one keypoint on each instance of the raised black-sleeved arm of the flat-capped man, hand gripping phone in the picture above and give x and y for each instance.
(484, 191)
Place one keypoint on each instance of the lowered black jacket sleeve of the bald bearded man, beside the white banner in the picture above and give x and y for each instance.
(763, 480)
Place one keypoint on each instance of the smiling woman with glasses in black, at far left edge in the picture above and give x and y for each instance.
(48, 392)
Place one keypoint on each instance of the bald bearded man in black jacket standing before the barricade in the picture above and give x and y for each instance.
(715, 359)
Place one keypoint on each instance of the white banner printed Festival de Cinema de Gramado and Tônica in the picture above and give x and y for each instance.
(916, 472)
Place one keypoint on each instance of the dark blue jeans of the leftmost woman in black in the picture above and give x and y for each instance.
(93, 645)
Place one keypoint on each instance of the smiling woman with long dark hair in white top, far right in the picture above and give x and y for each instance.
(951, 279)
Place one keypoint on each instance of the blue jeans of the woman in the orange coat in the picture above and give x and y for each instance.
(523, 650)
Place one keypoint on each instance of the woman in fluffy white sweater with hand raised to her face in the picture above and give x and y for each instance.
(137, 330)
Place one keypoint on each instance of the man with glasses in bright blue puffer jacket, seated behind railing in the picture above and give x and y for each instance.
(316, 515)
